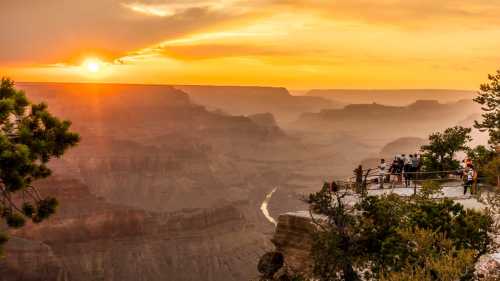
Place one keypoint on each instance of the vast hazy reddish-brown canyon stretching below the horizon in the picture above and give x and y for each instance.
(169, 180)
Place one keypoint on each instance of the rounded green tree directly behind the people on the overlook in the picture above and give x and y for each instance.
(439, 154)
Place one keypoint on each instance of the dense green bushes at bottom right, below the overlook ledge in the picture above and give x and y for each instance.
(391, 237)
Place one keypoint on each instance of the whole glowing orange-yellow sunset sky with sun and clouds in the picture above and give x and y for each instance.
(298, 44)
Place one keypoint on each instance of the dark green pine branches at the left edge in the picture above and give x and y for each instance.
(29, 137)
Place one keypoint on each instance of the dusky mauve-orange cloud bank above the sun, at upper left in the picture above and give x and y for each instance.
(51, 31)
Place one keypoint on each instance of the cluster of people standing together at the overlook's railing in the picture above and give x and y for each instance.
(402, 167)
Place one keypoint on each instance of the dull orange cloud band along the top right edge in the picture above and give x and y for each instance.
(405, 14)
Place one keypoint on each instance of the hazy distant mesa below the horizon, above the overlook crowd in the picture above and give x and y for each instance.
(379, 124)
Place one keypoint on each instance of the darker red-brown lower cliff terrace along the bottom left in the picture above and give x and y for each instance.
(91, 239)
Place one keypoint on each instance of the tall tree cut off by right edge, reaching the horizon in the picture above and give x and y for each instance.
(489, 99)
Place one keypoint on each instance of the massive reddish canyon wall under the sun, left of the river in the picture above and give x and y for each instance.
(158, 188)
